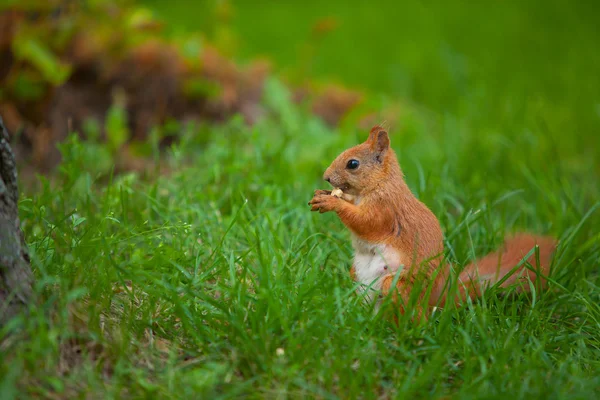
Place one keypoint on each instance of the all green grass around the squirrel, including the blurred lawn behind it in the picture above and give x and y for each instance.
(215, 281)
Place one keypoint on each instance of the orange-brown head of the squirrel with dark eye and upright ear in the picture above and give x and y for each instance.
(362, 168)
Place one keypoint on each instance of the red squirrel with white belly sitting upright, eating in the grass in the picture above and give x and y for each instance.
(392, 229)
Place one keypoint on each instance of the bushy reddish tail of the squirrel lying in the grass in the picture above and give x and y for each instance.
(492, 268)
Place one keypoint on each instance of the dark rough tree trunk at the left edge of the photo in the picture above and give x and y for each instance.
(15, 271)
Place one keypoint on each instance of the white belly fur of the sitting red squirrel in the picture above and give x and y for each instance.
(374, 261)
